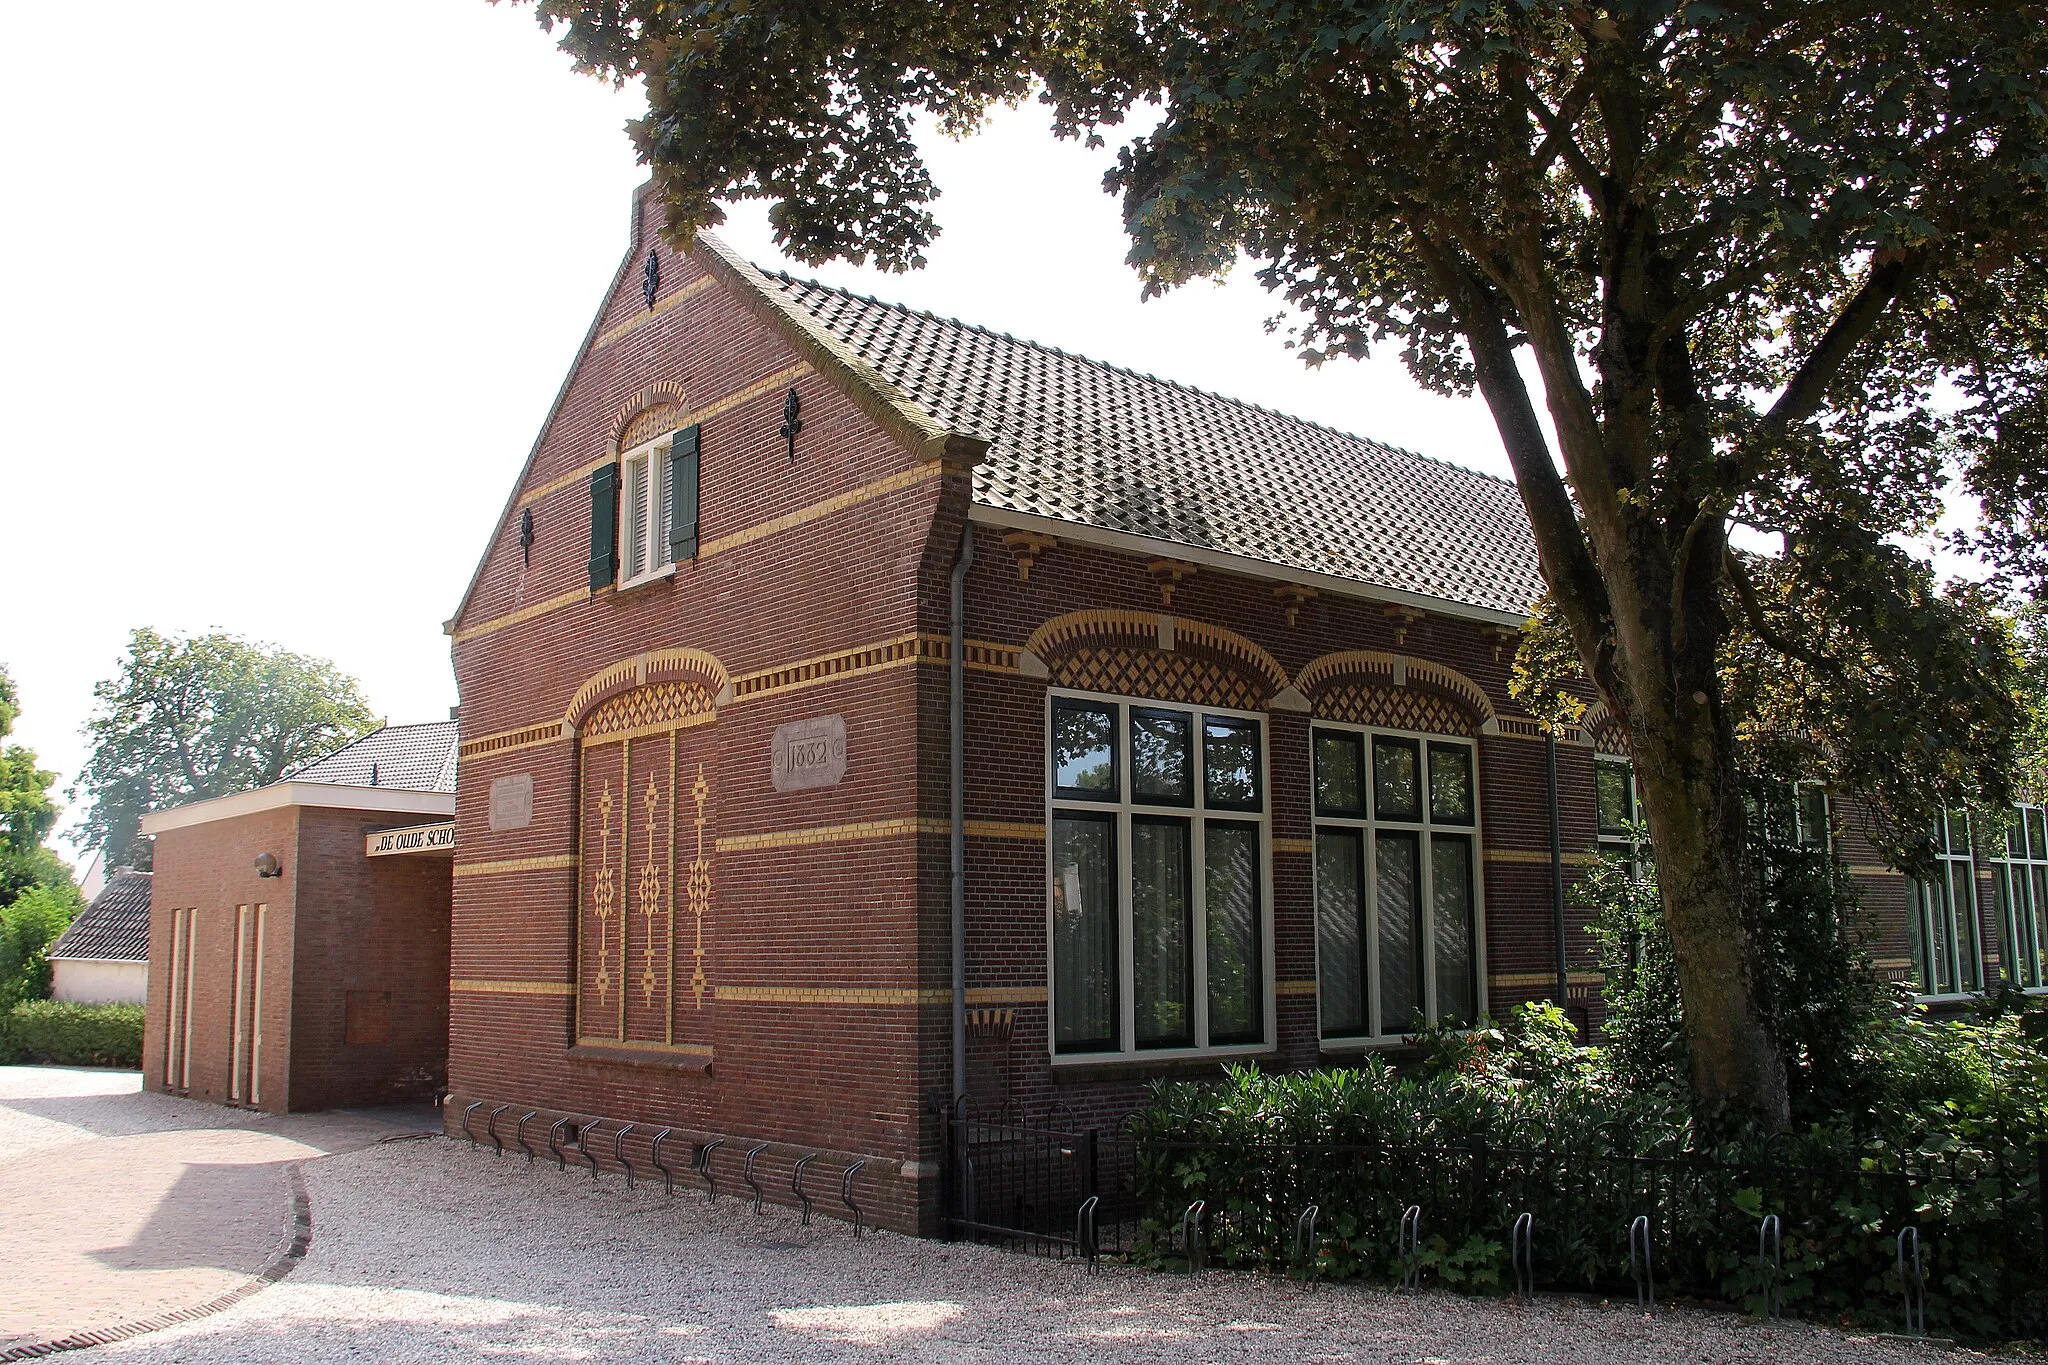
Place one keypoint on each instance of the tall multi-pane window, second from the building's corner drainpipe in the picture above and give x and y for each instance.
(1396, 881)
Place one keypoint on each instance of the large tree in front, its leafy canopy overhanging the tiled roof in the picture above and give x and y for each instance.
(1775, 265)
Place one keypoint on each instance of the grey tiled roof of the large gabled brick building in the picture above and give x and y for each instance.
(1093, 443)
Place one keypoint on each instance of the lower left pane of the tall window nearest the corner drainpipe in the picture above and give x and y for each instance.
(1084, 934)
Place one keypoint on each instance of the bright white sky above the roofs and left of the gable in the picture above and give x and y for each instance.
(288, 292)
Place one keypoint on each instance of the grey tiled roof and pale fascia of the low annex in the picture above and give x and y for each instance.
(396, 770)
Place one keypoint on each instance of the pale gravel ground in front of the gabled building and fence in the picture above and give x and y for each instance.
(431, 1251)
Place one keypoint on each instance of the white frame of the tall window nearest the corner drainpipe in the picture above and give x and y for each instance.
(1199, 813)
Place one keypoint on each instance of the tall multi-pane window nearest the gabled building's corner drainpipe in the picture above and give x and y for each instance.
(1158, 865)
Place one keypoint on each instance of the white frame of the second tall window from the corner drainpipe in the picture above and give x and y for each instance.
(1424, 891)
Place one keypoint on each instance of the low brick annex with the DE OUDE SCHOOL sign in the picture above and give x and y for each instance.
(300, 932)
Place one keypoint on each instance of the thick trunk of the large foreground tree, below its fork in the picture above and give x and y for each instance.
(1693, 801)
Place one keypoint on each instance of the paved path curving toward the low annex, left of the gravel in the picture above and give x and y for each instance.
(126, 1208)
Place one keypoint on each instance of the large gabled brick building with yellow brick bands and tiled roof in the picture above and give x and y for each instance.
(1242, 779)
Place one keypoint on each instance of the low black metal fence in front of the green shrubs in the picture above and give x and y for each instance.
(1955, 1239)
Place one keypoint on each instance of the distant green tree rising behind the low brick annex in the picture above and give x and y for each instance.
(191, 719)
